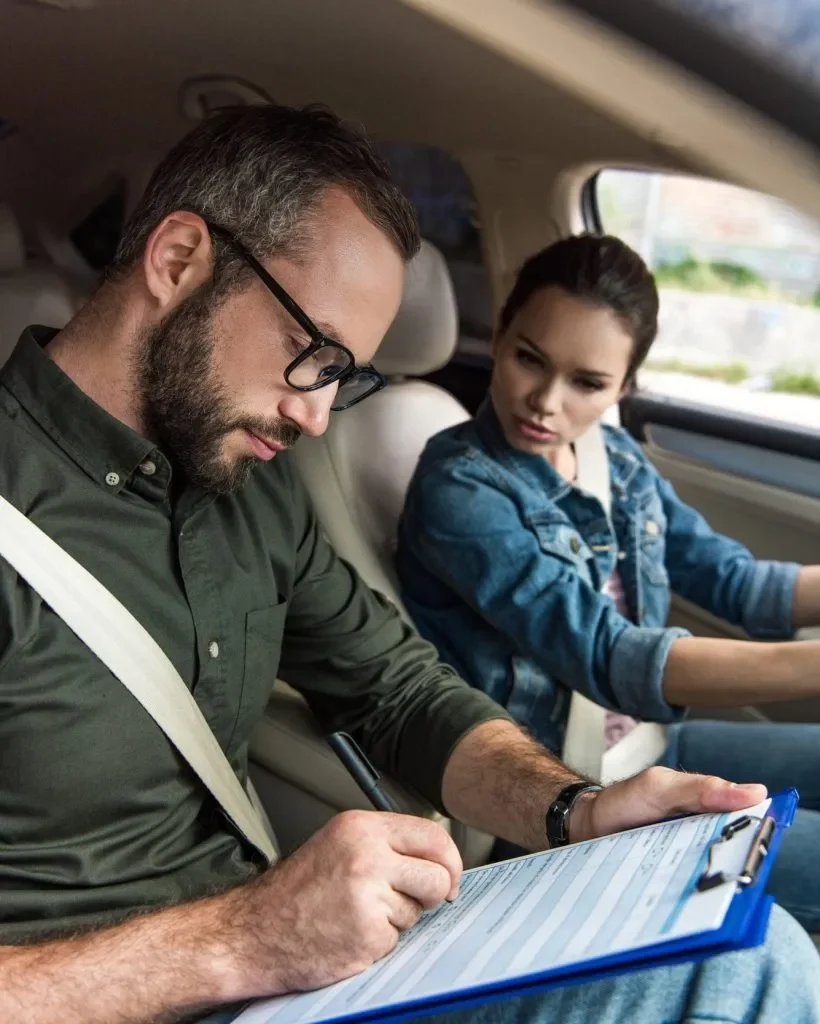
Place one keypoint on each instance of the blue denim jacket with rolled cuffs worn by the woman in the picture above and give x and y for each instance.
(502, 562)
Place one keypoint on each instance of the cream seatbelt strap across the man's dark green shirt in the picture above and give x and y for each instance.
(136, 659)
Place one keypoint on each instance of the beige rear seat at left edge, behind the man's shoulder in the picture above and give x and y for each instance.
(30, 292)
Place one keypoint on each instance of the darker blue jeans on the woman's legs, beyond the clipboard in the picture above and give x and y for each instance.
(780, 756)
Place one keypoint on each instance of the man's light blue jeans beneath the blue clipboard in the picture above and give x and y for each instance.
(776, 984)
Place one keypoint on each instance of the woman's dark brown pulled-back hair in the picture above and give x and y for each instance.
(602, 271)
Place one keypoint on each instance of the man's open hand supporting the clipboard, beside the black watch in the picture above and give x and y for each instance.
(655, 795)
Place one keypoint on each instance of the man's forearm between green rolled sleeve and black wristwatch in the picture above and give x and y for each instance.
(502, 782)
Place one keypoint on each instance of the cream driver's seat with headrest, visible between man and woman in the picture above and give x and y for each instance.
(358, 476)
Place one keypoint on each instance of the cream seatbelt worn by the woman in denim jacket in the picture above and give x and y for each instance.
(585, 739)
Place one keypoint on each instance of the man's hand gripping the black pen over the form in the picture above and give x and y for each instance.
(340, 903)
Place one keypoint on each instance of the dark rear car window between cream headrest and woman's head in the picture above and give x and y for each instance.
(443, 195)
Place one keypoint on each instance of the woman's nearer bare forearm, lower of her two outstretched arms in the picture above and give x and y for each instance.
(719, 673)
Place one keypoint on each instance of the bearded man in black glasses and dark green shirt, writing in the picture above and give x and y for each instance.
(250, 291)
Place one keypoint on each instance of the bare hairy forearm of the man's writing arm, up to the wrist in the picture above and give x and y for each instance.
(157, 968)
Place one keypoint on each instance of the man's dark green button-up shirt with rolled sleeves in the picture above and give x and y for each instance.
(99, 815)
